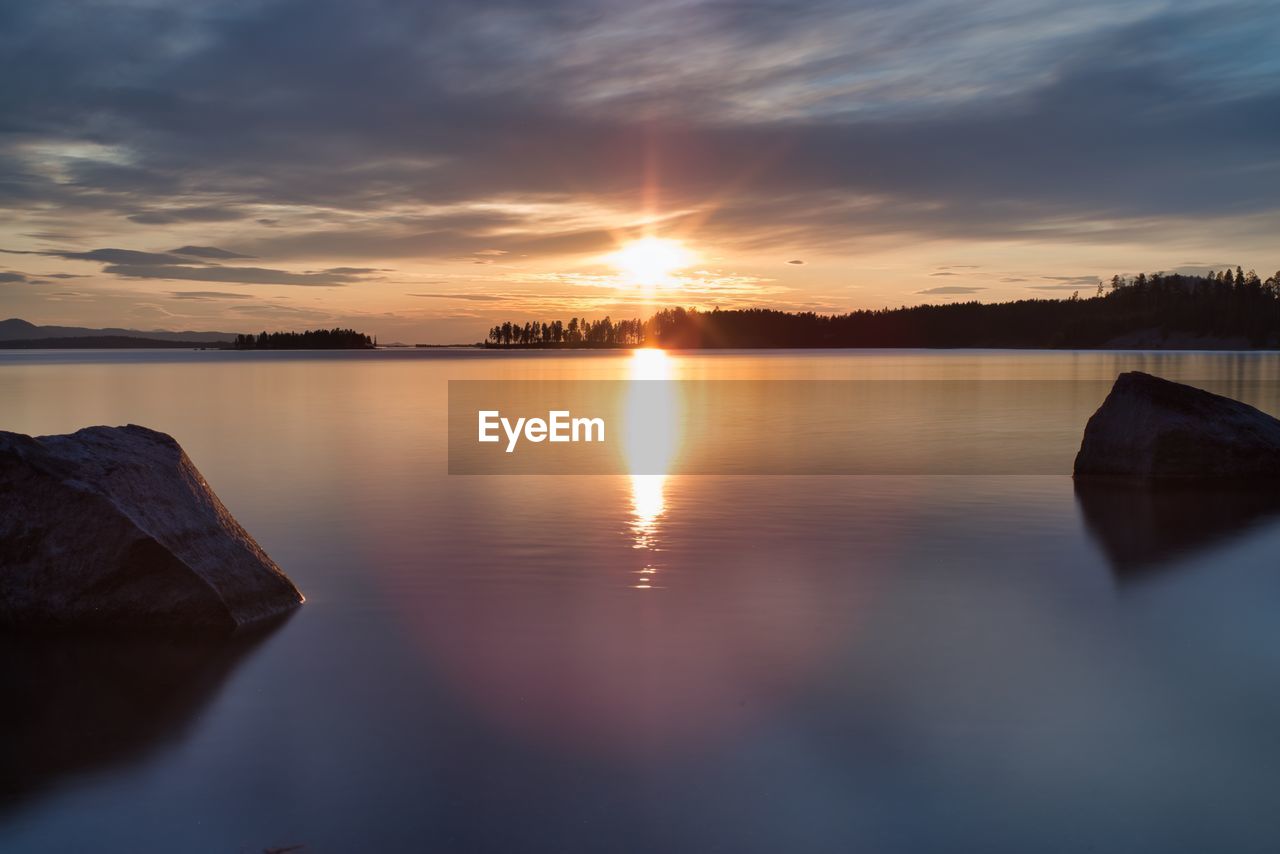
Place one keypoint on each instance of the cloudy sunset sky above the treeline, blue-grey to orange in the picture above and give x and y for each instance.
(422, 171)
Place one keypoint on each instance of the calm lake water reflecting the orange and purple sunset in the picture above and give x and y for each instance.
(683, 664)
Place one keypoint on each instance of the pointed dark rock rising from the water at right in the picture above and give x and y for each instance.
(1158, 430)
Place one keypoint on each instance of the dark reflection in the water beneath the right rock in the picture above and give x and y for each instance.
(1144, 528)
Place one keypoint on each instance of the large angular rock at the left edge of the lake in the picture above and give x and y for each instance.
(115, 528)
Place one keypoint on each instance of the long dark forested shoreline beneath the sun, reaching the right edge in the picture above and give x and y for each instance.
(1144, 310)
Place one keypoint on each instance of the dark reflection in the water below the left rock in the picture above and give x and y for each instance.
(80, 705)
